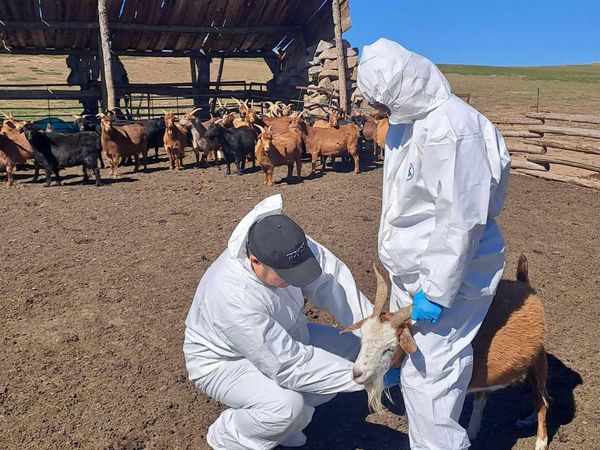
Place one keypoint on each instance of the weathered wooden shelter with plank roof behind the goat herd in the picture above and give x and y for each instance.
(278, 31)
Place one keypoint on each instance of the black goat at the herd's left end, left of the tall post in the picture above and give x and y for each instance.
(55, 151)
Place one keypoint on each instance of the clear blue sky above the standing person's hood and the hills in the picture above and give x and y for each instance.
(484, 32)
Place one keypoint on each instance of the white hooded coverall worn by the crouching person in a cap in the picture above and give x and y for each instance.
(249, 346)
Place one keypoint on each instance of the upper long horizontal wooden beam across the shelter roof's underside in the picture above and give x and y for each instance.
(140, 27)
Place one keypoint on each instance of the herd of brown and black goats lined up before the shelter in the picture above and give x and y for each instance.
(278, 138)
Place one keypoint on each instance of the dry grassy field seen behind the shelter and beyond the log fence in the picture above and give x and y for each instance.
(493, 90)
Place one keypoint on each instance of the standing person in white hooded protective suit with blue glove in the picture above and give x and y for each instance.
(444, 180)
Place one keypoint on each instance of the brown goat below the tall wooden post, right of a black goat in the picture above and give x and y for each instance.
(122, 141)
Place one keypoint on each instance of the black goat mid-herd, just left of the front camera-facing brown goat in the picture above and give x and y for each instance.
(237, 144)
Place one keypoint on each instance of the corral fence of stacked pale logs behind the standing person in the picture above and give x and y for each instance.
(543, 144)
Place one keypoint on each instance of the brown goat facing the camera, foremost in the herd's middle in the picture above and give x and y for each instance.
(279, 149)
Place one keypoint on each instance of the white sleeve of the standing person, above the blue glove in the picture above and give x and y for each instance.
(458, 177)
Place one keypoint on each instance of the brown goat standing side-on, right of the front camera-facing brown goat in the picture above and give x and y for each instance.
(324, 142)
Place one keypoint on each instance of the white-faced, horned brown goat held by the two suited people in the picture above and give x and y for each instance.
(508, 347)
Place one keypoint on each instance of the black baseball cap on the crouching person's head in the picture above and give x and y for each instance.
(279, 242)
